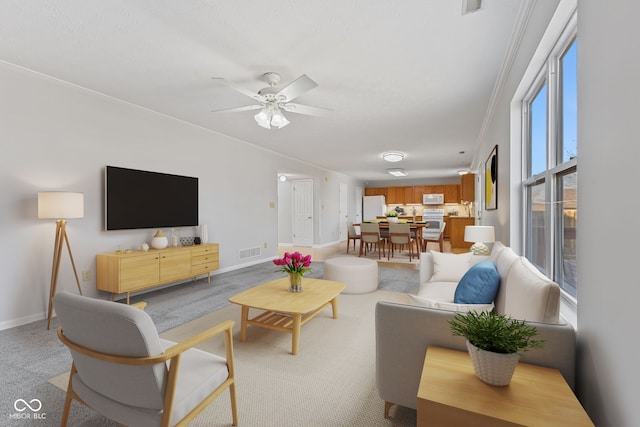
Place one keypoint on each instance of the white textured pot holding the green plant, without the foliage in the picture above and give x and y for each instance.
(493, 368)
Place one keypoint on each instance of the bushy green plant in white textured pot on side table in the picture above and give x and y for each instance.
(495, 343)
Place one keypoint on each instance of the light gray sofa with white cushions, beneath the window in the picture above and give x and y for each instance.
(404, 331)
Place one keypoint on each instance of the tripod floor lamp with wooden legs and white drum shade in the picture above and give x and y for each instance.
(60, 205)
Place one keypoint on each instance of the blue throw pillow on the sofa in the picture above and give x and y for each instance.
(479, 285)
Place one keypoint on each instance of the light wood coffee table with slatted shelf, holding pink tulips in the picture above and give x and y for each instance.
(287, 311)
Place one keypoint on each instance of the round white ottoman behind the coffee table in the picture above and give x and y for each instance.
(360, 274)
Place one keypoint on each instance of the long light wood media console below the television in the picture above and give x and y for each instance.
(130, 271)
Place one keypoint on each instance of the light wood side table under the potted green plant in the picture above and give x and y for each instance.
(450, 394)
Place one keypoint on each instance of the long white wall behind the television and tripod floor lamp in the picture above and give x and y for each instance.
(59, 137)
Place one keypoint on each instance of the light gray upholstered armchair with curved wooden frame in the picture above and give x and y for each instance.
(122, 369)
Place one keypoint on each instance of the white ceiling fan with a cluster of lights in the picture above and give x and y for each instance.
(272, 100)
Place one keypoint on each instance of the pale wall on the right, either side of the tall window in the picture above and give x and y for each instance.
(608, 153)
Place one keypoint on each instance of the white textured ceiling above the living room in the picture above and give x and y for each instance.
(412, 76)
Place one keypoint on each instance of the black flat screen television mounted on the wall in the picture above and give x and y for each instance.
(143, 199)
